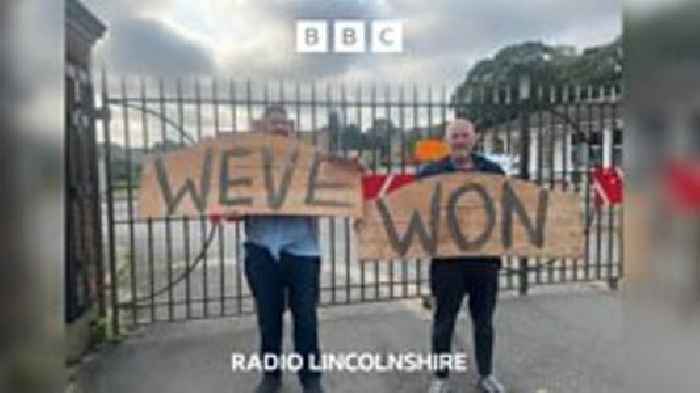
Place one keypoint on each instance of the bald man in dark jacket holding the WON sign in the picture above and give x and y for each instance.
(452, 278)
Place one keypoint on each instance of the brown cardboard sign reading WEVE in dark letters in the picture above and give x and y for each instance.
(248, 173)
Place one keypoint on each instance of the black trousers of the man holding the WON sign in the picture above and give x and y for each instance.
(450, 280)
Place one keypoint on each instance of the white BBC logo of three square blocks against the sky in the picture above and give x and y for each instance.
(349, 36)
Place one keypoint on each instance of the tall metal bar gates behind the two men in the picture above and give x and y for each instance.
(181, 268)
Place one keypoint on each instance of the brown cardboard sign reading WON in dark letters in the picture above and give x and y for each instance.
(471, 214)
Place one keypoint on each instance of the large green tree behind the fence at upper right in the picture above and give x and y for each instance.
(546, 66)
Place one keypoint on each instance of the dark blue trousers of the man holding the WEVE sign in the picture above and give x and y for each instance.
(268, 280)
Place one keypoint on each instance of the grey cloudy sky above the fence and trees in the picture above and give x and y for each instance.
(255, 38)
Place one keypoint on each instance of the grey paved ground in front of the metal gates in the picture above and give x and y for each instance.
(564, 342)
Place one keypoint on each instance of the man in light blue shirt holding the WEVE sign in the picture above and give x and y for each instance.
(282, 260)
